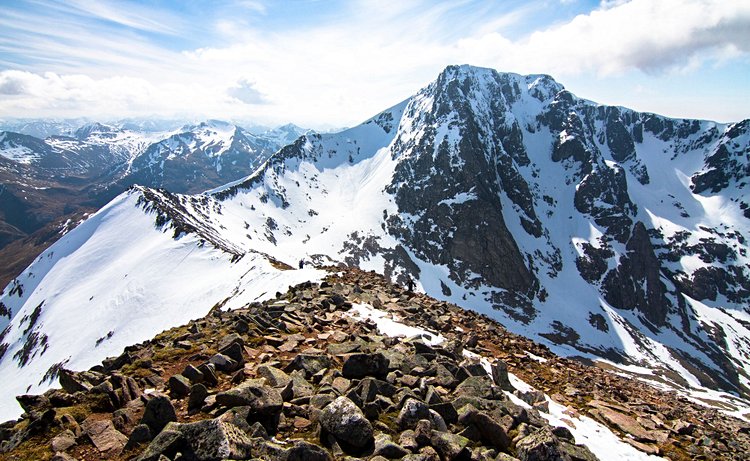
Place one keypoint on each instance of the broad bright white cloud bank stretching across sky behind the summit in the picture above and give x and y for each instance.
(353, 64)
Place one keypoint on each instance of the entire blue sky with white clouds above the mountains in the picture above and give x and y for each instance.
(330, 63)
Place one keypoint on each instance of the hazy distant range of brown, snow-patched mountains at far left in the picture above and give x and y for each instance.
(48, 184)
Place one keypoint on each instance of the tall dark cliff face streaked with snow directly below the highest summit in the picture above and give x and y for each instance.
(448, 188)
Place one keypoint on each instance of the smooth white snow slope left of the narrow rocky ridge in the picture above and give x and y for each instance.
(114, 281)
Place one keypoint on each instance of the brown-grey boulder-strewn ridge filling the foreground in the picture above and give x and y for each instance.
(301, 378)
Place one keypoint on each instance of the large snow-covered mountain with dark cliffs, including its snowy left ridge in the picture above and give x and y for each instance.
(600, 231)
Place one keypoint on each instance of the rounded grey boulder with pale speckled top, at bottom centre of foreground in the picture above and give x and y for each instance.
(346, 423)
